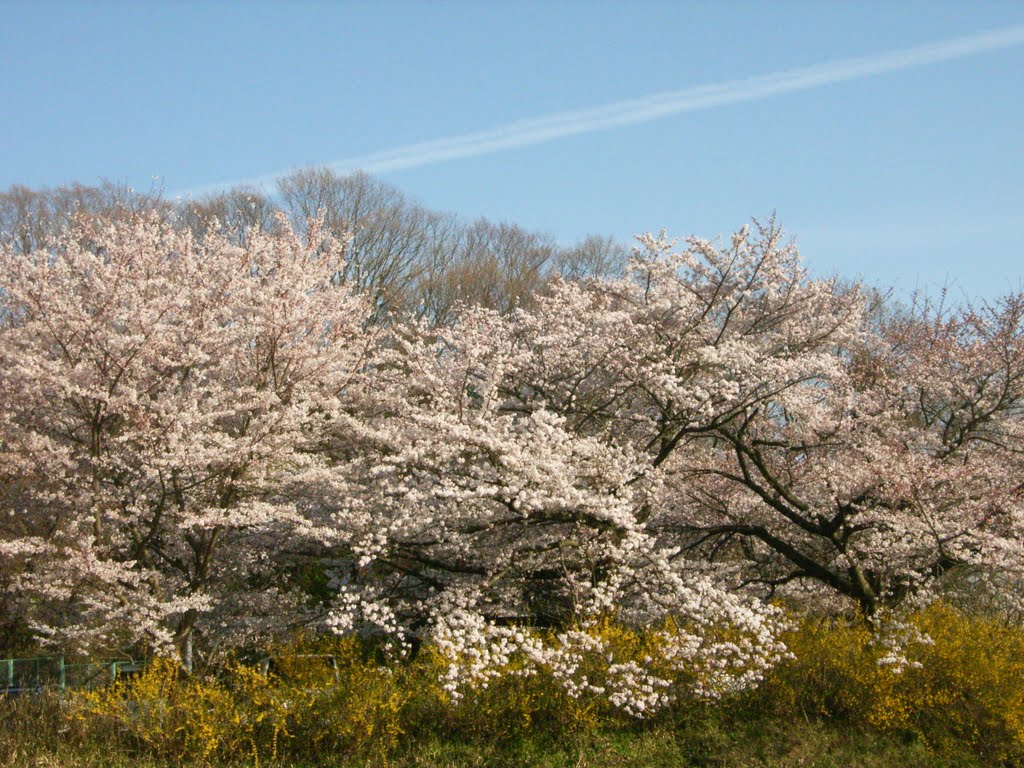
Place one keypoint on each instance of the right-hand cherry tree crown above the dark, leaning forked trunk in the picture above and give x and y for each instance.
(787, 433)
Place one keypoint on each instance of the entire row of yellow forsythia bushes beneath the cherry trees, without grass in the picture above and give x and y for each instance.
(959, 690)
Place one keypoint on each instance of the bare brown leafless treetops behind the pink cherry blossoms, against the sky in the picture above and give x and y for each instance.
(410, 260)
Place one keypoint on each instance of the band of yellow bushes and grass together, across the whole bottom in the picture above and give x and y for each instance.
(958, 703)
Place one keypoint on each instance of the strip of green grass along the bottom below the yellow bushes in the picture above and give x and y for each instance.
(33, 739)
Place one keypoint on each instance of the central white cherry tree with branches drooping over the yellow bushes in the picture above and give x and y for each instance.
(483, 521)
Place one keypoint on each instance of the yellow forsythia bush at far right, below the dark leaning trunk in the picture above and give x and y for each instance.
(962, 690)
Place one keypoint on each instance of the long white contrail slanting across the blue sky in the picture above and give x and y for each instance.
(631, 112)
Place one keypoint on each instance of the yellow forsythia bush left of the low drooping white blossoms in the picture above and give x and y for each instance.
(309, 703)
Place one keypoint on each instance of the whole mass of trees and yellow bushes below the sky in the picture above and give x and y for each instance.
(675, 503)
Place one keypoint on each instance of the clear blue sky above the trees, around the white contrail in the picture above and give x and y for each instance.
(906, 178)
